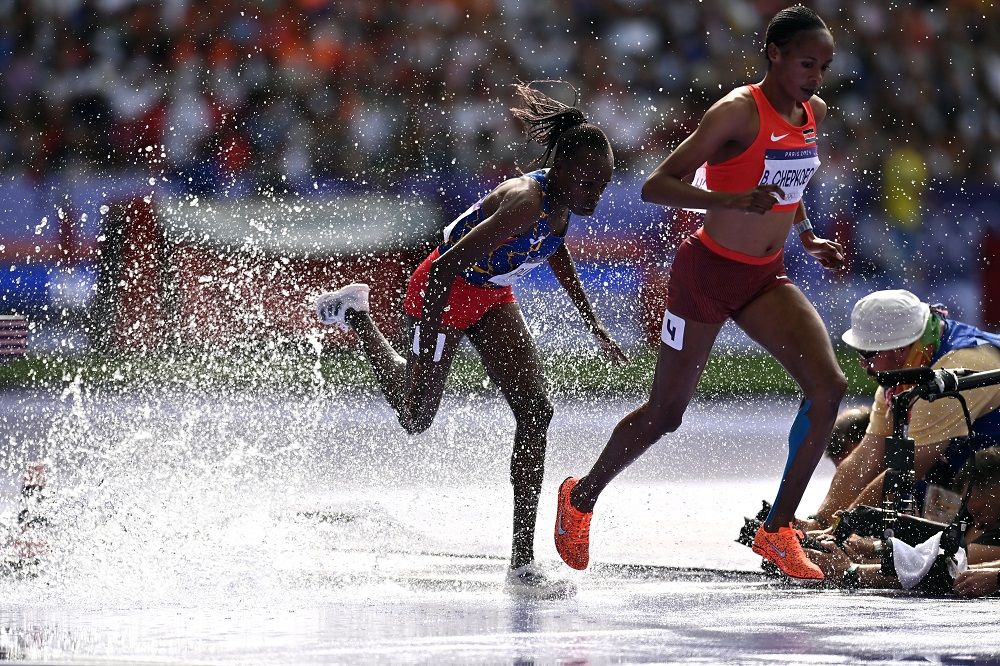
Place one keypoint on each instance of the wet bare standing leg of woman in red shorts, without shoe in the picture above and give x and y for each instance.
(512, 362)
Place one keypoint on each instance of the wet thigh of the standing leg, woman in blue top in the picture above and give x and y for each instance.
(509, 353)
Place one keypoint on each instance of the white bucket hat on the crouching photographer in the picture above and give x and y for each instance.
(887, 320)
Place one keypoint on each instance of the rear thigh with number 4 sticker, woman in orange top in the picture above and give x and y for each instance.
(685, 346)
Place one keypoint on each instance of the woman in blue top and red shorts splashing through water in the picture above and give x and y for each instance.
(464, 289)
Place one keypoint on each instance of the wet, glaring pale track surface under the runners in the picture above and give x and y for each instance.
(239, 530)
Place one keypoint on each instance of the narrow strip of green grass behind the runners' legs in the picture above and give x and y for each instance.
(298, 371)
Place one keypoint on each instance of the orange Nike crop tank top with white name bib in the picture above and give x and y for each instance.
(782, 154)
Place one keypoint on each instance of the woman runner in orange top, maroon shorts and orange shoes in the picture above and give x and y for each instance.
(760, 146)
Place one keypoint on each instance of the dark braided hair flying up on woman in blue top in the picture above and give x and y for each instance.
(560, 128)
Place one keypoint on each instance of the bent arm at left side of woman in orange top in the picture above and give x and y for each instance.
(722, 124)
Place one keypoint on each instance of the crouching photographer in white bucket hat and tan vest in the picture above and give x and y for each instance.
(893, 330)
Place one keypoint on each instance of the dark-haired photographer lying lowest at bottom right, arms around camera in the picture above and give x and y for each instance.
(979, 483)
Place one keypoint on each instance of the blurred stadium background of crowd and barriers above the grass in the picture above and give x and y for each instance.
(190, 173)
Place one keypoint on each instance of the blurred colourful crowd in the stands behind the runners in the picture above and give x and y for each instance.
(254, 96)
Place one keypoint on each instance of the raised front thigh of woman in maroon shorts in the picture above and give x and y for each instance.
(785, 323)
